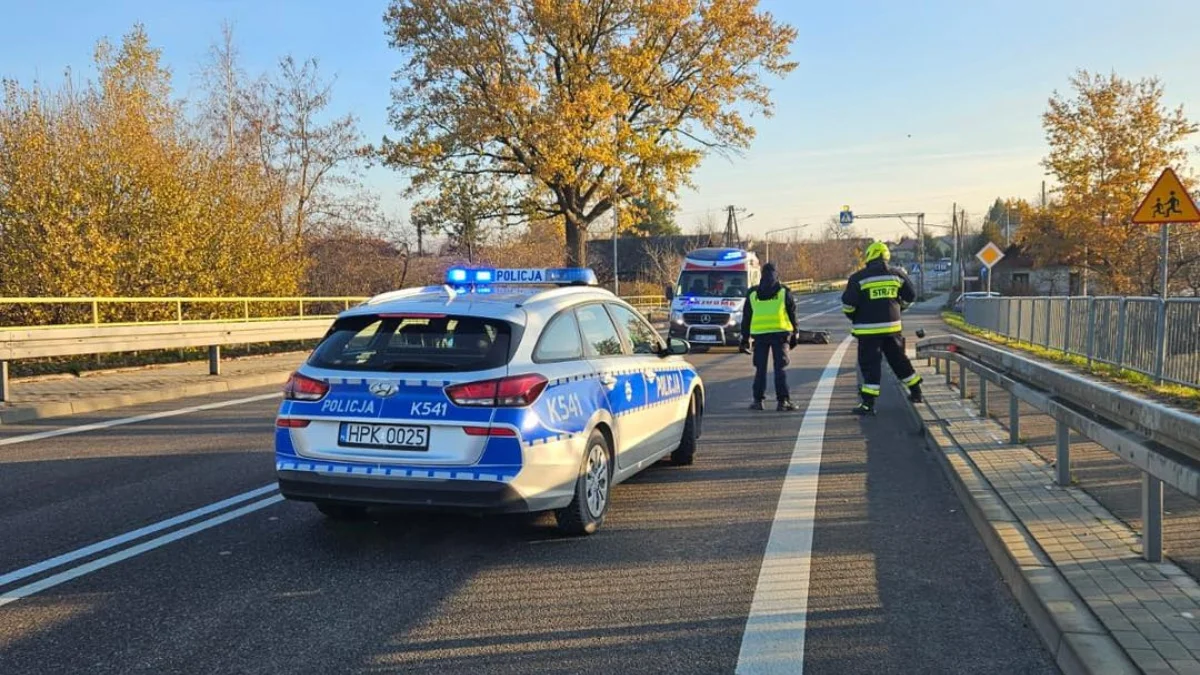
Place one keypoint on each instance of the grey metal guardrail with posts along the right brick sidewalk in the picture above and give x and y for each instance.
(1162, 443)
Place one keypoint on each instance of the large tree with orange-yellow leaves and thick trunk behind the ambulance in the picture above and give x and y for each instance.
(577, 106)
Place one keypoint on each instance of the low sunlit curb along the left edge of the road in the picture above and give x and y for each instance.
(21, 414)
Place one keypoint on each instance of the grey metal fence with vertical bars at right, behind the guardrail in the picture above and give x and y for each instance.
(1126, 333)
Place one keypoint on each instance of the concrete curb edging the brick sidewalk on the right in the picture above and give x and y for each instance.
(1076, 638)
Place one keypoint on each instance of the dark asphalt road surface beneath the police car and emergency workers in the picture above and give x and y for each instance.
(899, 582)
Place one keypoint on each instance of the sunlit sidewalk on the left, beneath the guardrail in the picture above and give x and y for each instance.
(62, 396)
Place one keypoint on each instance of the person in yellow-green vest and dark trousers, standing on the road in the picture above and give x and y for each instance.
(770, 318)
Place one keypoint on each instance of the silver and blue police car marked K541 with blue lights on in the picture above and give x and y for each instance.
(490, 393)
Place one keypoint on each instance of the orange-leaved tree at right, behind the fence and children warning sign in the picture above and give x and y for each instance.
(1109, 141)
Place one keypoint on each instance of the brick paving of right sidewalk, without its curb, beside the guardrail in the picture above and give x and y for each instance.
(1151, 611)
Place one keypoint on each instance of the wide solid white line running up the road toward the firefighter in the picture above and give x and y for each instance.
(773, 641)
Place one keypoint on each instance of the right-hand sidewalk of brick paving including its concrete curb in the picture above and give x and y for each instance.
(1075, 568)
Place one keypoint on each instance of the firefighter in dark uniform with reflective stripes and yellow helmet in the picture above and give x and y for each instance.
(874, 298)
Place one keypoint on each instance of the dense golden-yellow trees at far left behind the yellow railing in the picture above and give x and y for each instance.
(106, 190)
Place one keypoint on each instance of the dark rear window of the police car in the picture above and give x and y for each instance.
(415, 344)
